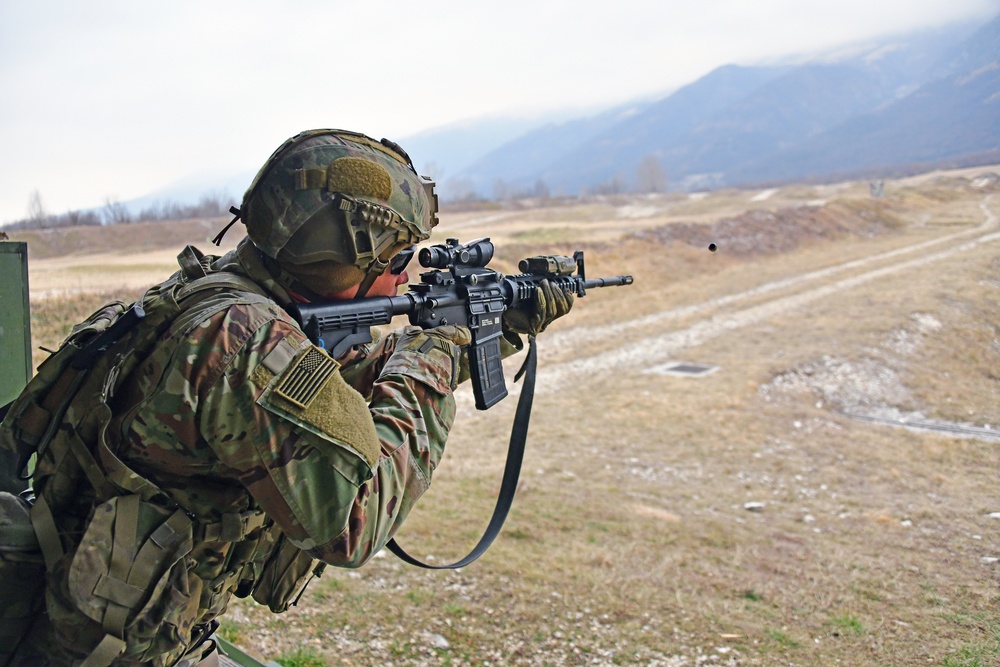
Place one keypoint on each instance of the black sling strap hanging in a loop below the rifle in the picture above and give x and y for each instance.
(512, 469)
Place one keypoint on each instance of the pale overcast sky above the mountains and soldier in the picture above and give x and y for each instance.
(109, 98)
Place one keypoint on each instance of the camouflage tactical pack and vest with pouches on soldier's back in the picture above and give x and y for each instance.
(116, 550)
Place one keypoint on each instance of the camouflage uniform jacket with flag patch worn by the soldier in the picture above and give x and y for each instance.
(335, 486)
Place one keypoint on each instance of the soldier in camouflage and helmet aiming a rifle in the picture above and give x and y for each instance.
(212, 450)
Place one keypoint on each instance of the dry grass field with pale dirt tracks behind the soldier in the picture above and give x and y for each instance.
(762, 514)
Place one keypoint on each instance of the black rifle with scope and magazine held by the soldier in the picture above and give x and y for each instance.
(459, 290)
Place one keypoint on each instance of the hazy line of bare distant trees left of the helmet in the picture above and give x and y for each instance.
(115, 212)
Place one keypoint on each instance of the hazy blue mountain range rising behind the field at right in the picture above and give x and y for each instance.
(927, 98)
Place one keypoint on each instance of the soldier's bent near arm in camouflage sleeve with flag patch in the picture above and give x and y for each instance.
(336, 472)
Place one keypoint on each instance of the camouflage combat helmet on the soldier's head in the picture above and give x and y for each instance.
(338, 196)
